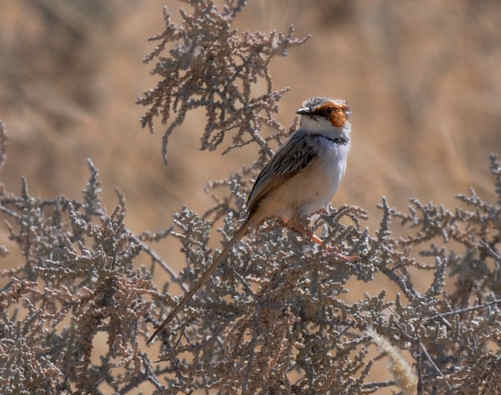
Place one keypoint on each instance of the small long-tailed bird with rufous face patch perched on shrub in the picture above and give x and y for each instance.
(300, 179)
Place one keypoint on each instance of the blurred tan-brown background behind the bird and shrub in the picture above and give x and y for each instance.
(423, 79)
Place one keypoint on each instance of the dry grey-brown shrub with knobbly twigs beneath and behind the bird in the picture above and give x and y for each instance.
(272, 320)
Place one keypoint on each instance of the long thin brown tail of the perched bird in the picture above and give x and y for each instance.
(205, 276)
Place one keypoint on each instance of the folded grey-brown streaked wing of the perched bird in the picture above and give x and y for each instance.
(294, 156)
